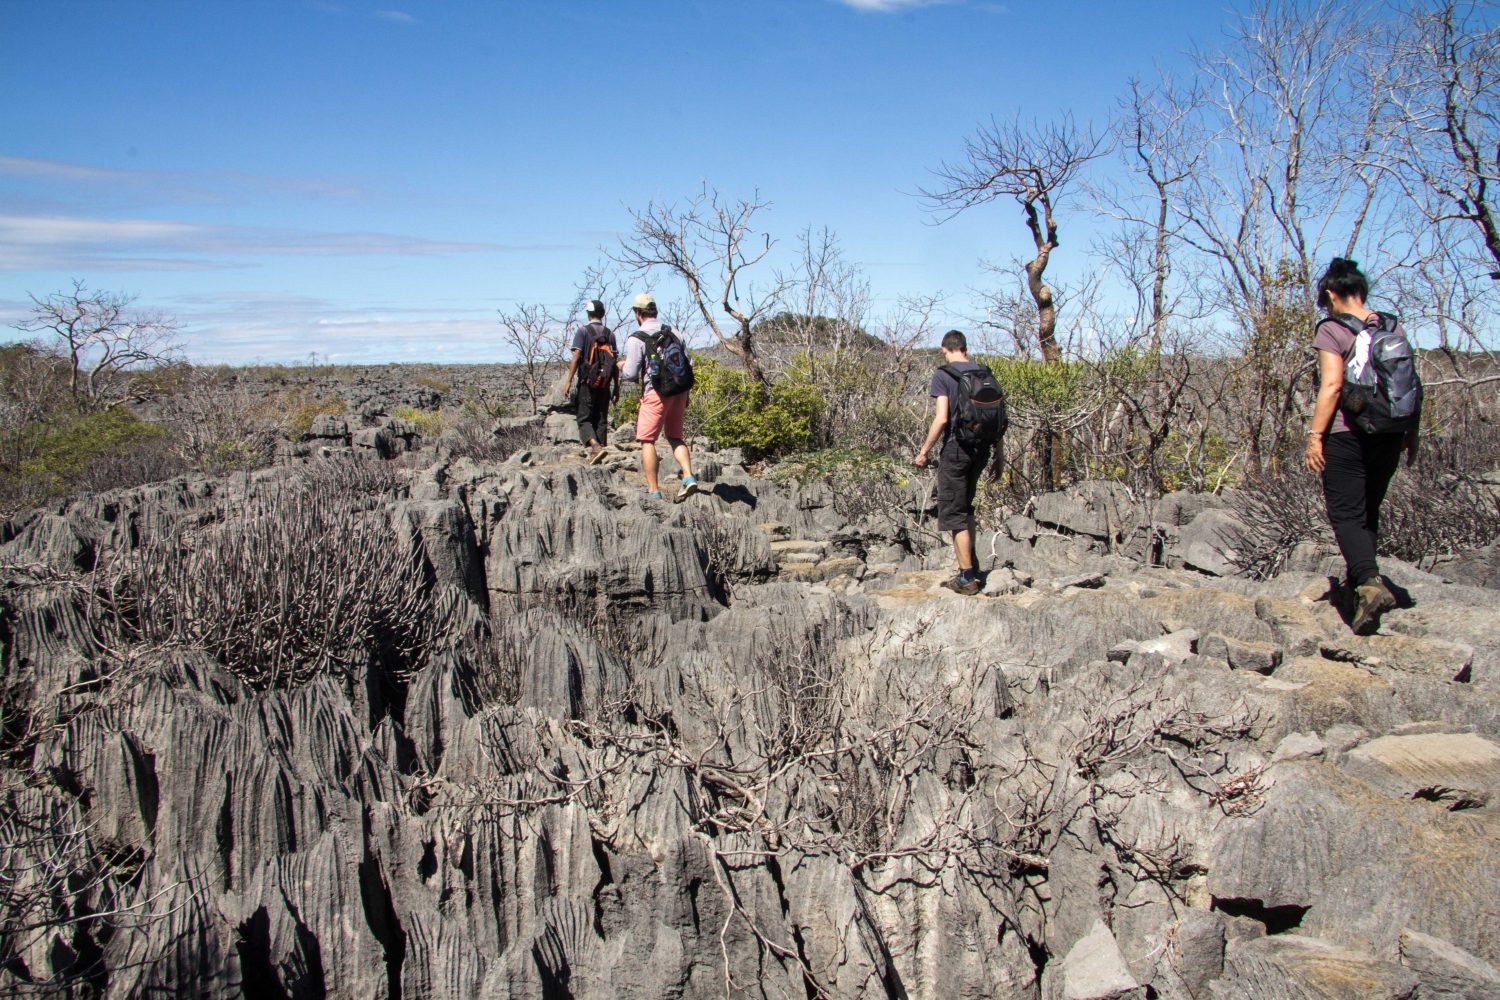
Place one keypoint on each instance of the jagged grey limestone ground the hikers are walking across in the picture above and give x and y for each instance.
(746, 747)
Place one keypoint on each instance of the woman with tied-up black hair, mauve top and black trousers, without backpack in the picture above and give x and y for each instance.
(1357, 467)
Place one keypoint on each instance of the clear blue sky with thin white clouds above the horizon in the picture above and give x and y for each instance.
(371, 182)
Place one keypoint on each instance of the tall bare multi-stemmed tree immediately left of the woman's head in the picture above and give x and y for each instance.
(1276, 187)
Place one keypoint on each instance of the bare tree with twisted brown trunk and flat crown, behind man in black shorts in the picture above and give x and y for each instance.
(1034, 164)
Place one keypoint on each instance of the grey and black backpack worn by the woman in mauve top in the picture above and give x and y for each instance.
(1382, 392)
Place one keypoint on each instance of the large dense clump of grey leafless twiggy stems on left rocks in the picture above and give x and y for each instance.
(281, 588)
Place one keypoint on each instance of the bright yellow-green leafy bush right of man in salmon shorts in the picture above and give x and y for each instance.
(736, 413)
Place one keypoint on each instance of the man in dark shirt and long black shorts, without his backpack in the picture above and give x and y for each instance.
(959, 469)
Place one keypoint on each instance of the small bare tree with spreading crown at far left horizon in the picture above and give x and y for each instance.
(103, 337)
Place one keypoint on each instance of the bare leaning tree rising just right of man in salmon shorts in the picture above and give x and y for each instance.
(709, 244)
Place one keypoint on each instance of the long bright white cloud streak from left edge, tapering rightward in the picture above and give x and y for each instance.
(67, 244)
